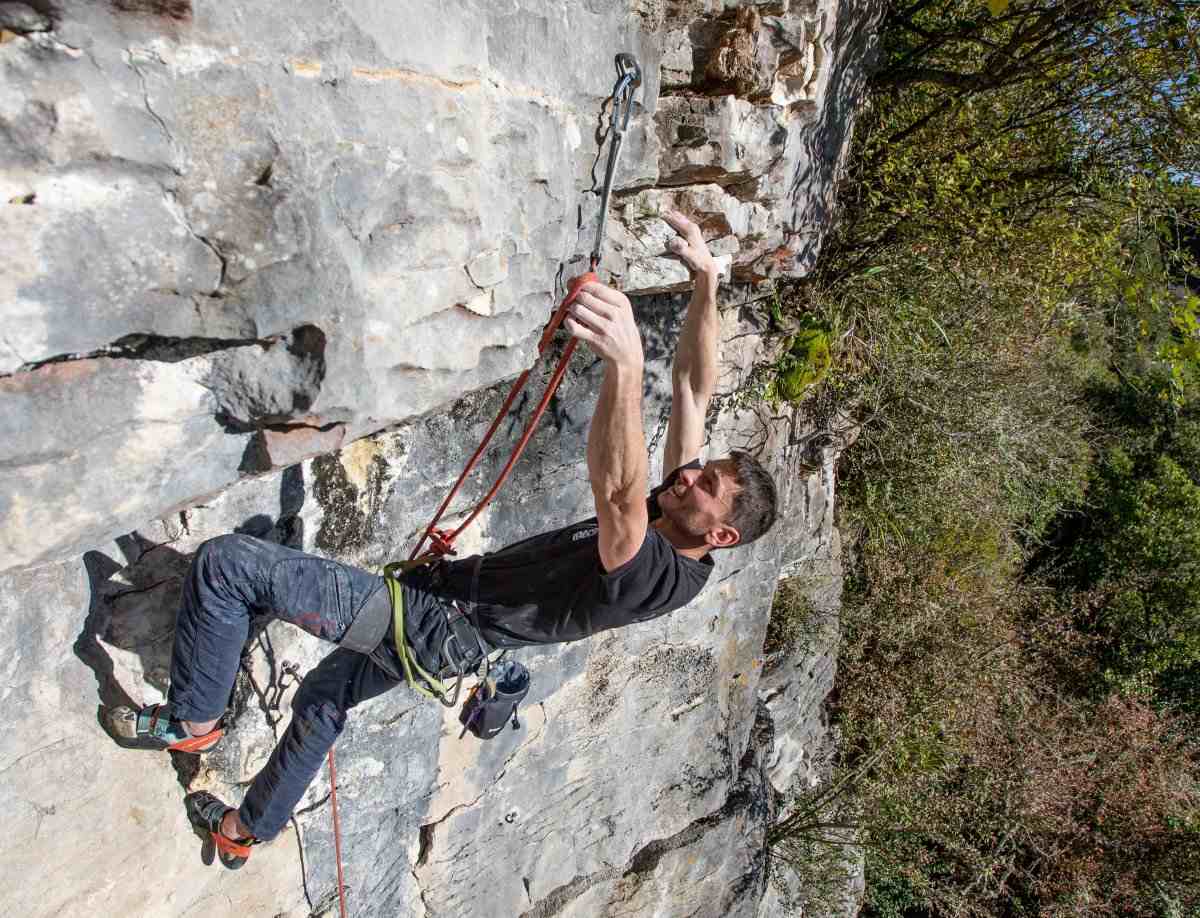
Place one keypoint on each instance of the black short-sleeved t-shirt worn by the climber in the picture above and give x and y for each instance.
(553, 589)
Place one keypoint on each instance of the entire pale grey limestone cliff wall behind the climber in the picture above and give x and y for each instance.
(265, 269)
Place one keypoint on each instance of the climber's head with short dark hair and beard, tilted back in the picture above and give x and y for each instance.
(729, 502)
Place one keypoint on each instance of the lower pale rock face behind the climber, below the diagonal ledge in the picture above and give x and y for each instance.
(641, 781)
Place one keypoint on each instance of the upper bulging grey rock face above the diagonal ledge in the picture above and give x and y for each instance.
(407, 183)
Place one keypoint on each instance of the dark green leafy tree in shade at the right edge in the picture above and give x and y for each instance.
(1133, 550)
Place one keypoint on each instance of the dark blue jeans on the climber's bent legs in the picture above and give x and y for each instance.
(235, 578)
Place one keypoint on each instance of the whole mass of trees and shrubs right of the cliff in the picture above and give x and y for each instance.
(1012, 301)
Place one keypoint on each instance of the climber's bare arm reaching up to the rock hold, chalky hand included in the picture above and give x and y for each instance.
(694, 374)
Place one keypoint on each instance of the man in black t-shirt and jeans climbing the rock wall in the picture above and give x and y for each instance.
(638, 559)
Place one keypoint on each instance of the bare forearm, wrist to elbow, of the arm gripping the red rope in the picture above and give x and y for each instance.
(617, 465)
